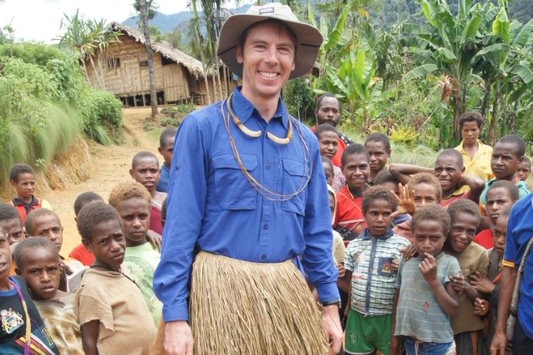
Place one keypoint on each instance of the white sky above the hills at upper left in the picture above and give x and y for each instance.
(39, 20)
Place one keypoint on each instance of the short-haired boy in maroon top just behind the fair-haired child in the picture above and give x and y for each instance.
(145, 170)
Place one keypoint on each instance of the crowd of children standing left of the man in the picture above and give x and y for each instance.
(100, 299)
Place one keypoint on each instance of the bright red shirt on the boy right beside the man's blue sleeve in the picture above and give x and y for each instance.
(350, 211)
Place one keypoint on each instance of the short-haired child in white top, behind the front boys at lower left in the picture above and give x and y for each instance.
(45, 223)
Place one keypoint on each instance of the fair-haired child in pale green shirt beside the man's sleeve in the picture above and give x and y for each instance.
(132, 202)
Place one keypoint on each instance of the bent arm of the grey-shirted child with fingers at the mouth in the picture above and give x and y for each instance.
(446, 297)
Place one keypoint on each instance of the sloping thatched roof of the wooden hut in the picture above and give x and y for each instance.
(193, 65)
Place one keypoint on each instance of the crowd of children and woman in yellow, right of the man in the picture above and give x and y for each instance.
(423, 245)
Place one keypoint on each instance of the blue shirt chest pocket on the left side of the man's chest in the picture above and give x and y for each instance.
(232, 189)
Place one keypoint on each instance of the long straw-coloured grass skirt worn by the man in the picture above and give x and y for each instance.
(240, 307)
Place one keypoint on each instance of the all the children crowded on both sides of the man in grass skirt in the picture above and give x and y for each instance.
(418, 252)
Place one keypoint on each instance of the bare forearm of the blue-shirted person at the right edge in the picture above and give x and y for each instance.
(499, 341)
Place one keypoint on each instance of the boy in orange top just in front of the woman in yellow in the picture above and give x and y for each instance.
(455, 185)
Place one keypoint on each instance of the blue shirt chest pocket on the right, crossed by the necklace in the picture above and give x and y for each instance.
(294, 181)
